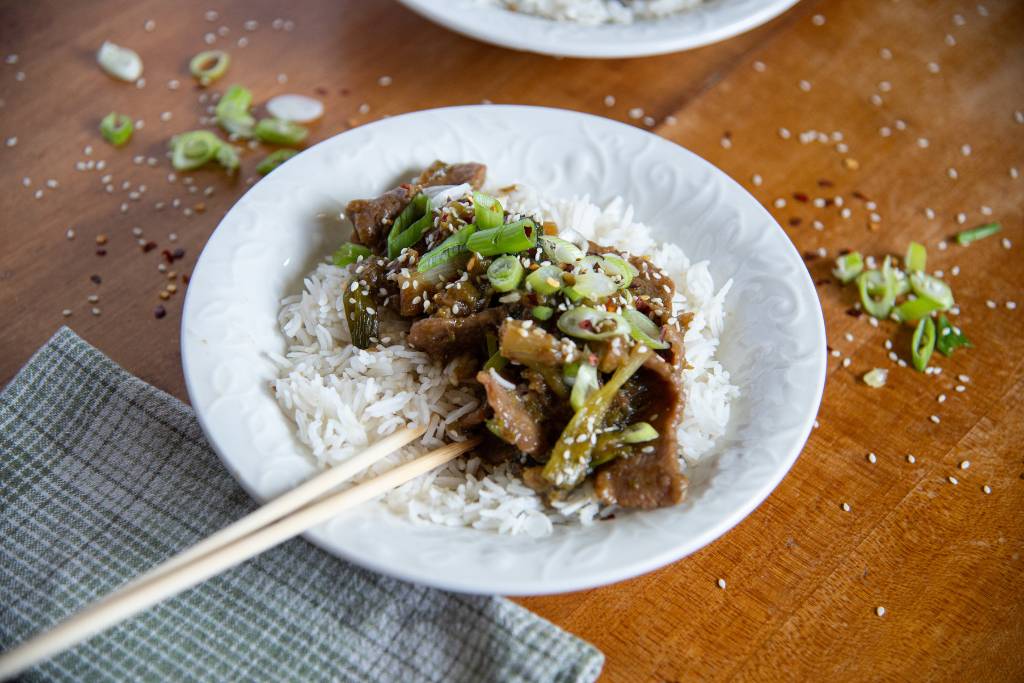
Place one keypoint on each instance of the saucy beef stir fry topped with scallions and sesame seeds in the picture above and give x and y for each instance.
(574, 346)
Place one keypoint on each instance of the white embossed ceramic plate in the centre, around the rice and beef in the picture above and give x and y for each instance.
(774, 343)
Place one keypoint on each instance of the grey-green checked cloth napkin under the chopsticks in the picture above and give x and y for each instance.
(103, 477)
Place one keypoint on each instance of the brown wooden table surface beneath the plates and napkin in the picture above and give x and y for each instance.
(881, 99)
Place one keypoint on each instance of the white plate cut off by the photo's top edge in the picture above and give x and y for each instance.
(710, 23)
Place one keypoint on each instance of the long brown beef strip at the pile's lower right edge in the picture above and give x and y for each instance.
(652, 480)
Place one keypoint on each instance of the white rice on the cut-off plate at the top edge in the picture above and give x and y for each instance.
(593, 13)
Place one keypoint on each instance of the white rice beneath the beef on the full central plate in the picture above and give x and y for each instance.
(342, 399)
